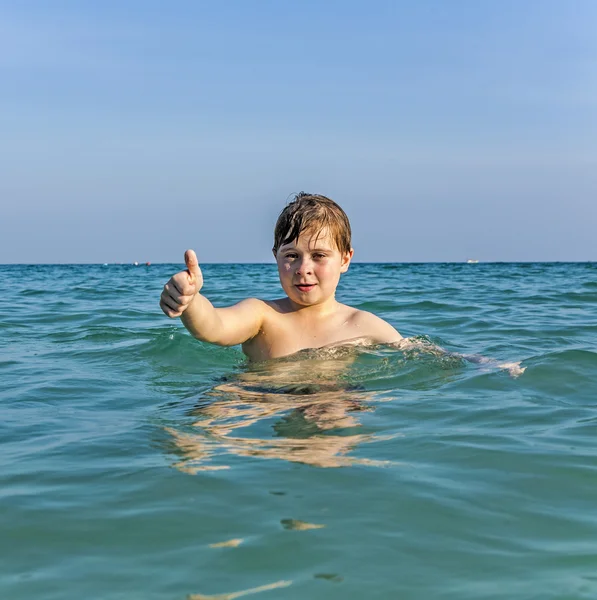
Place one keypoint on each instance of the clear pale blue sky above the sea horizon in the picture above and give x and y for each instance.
(132, 130)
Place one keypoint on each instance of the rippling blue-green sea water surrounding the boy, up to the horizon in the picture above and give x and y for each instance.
(138, 463)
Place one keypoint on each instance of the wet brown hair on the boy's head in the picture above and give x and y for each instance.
(312, 212)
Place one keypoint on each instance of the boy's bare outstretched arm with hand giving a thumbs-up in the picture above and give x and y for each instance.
(224, 326)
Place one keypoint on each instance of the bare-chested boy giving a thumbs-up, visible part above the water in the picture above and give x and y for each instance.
(312, 247)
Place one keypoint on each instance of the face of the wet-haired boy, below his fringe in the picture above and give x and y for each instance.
(310, 267)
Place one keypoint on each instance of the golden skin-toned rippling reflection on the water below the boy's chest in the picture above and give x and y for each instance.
(304, 409)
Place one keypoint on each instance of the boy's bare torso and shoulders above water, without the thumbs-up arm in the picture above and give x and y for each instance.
(285, 331)
